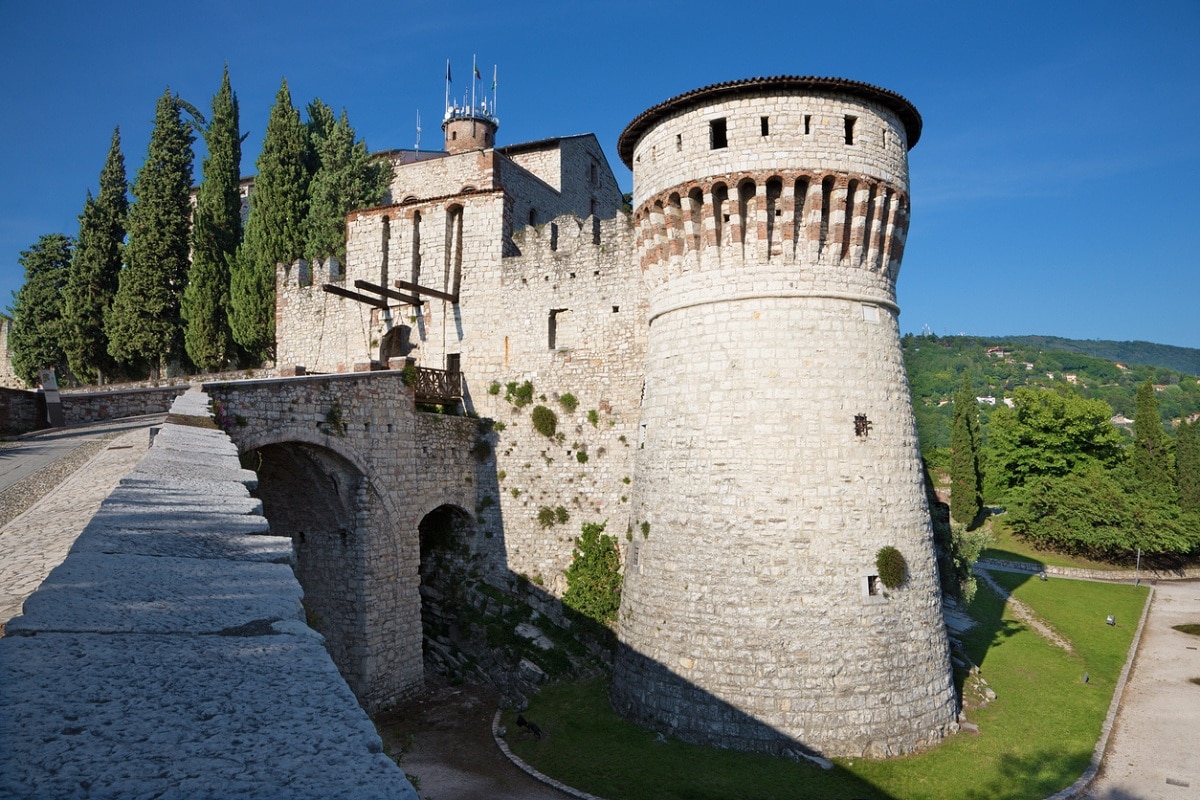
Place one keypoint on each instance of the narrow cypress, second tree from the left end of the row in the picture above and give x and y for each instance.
(93, 279)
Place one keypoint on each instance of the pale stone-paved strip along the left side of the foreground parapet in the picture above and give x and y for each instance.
(38, 540)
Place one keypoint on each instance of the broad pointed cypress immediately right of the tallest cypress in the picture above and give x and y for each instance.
(275, 228)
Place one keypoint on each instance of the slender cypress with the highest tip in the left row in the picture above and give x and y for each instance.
(217, 233)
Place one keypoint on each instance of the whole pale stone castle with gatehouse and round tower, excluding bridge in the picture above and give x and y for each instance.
(725, 369)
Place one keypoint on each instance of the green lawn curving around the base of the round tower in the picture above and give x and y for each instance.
(1035, 739)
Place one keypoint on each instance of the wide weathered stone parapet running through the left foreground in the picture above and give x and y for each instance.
(169, 654)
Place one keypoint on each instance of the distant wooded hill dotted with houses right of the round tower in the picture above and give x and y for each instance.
(997, 366)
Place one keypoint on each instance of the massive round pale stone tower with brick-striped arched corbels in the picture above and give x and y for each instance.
(778, 450)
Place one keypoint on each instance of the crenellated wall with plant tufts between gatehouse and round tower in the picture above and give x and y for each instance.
(595, 294)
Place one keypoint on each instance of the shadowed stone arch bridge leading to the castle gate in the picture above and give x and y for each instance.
(350, 471)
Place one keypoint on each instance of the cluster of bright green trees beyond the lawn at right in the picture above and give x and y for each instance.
(1072, 482)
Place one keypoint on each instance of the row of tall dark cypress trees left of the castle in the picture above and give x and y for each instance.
(161, 281)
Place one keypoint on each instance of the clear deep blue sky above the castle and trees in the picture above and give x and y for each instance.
(1054, 188)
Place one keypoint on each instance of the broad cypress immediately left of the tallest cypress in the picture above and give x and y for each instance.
(145, 323)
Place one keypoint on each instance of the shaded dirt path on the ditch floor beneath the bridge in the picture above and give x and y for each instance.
(446, 741)
